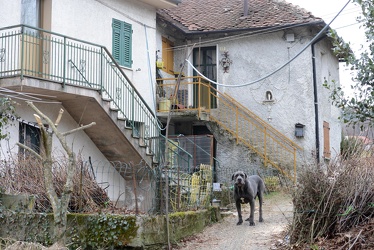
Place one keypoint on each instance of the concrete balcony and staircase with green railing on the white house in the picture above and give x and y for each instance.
(89, 83)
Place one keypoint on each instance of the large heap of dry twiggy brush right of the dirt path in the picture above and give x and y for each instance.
(333, 201)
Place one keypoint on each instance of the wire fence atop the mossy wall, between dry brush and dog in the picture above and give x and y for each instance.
(141, 189)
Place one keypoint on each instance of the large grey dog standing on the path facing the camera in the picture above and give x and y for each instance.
(246, 190)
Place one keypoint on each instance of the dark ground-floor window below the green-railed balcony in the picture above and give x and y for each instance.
(29, 135)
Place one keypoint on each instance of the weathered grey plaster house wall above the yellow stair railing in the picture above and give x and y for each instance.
(258, 56)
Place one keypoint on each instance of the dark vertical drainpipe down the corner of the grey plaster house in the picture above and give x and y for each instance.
(315, 89)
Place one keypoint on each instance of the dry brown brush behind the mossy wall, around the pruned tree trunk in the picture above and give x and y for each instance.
(26, 176)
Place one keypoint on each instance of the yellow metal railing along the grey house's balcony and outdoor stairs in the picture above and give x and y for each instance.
(196, 96)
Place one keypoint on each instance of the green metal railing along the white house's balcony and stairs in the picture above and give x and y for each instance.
(26, 51)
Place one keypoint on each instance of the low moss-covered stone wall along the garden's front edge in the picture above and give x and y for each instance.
(101, 231)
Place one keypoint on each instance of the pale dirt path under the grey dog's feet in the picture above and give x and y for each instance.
(226, 235)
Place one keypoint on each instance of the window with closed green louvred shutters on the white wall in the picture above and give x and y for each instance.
(122, 42)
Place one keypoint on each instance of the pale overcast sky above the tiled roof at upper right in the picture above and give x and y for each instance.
(345, 24)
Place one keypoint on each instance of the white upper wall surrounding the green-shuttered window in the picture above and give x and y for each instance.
(92, 21)
